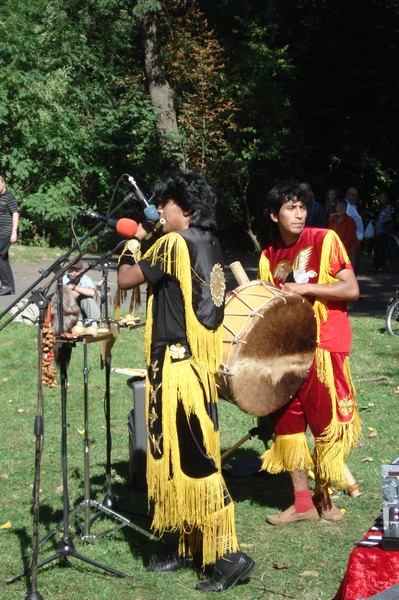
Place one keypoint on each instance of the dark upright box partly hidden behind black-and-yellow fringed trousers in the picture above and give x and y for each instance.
(137, 435)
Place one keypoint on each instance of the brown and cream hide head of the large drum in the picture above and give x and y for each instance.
(274, 358)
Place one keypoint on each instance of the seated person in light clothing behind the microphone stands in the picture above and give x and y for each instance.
(85, 292)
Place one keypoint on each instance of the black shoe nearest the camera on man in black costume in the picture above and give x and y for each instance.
(227, 572)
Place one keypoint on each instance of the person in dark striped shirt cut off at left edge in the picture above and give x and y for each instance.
(9, 219)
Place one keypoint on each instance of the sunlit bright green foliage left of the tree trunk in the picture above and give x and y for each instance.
(78, 116)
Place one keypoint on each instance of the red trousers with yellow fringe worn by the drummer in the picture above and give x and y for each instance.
(326, 403)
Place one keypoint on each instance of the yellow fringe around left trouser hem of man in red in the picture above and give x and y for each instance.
(287, 453)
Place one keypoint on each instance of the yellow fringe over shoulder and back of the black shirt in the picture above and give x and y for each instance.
(206, 345)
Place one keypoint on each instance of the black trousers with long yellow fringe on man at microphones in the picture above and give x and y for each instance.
(200, 508)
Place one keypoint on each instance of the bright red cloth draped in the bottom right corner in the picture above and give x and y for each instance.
(369, 571)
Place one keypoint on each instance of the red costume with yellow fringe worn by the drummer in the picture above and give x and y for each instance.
(326, 400)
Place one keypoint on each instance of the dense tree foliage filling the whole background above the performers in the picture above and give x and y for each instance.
(263, 91)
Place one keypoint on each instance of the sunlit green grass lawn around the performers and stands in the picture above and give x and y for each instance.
(304, 561)
